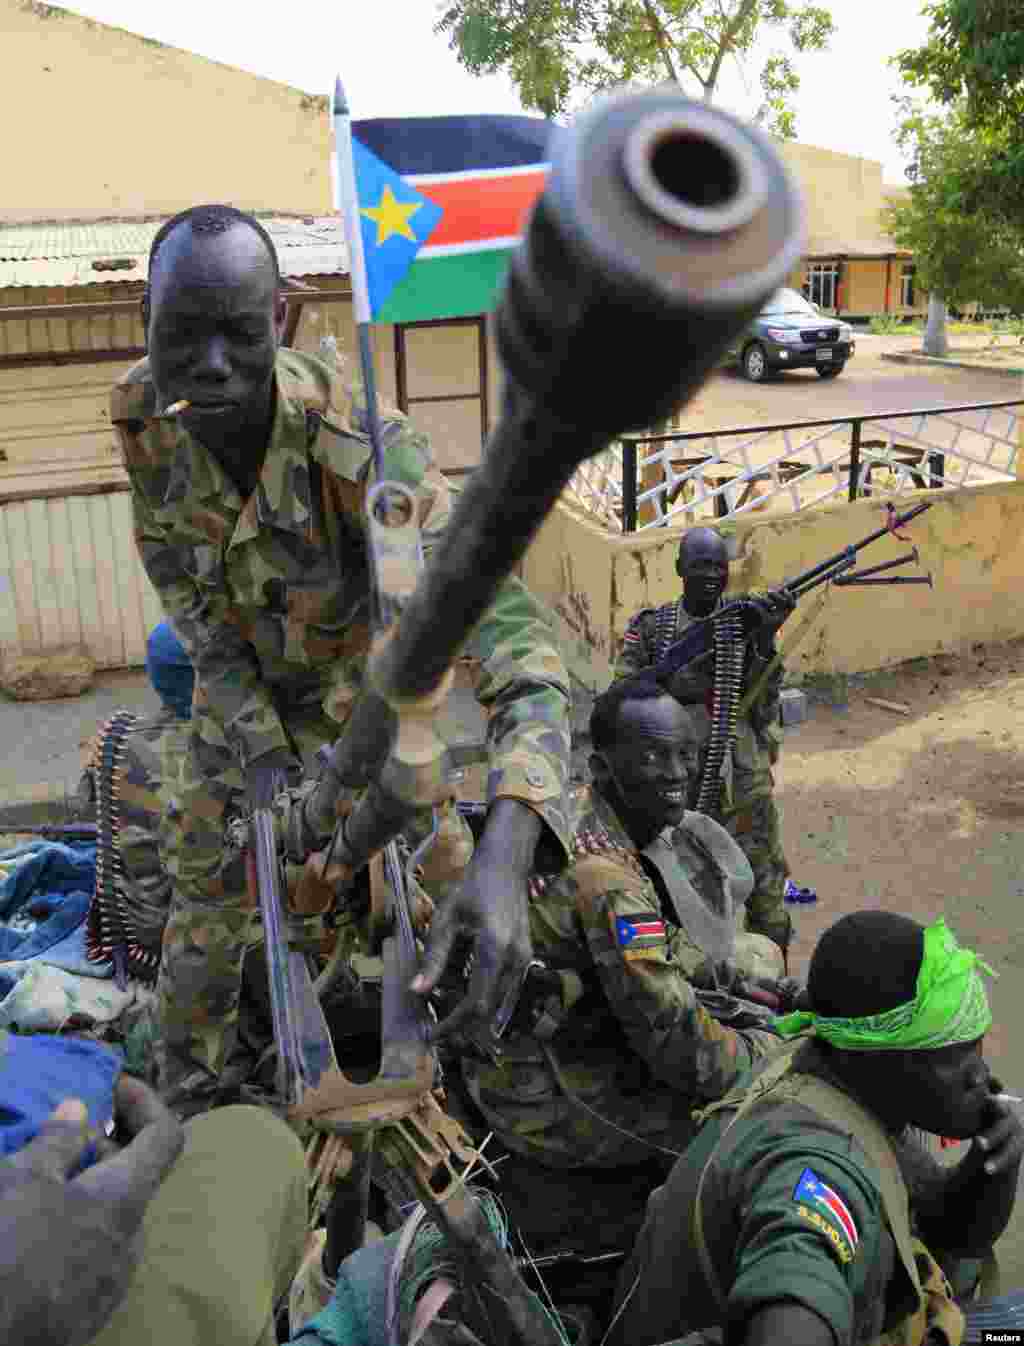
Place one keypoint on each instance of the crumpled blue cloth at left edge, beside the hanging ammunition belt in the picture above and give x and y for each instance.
(44, 909)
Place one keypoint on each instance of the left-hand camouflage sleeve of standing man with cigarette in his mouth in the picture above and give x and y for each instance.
(227, 667)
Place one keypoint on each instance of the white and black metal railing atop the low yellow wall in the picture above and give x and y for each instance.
(734, 472)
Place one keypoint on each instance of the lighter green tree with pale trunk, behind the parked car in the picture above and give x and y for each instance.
(963, 255)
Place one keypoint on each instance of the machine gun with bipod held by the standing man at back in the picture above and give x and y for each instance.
(838, 569)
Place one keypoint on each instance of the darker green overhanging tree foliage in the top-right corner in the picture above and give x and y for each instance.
(974, 60)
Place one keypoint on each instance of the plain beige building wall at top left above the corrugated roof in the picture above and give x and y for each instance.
(116, 125)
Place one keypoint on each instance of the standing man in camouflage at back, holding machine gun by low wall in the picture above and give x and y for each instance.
(752, 815)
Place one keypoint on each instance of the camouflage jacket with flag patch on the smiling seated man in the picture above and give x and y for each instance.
(634, 1048)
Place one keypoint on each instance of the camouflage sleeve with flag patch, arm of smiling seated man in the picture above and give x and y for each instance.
(648, 990)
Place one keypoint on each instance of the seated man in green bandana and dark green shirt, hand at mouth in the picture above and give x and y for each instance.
(805, 1212)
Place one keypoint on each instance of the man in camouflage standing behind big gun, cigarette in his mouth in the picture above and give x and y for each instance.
(248, 518)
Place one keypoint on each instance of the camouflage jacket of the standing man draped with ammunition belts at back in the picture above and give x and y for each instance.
(695, 684)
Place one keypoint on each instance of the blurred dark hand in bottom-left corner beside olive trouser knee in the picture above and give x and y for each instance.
(68, 1248)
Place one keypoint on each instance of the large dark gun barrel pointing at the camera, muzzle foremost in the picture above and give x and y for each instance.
(663, 228)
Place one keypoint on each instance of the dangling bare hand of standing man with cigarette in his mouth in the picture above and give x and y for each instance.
(490, 909)
